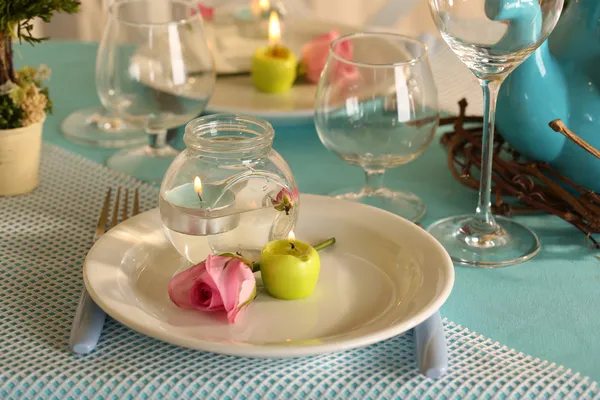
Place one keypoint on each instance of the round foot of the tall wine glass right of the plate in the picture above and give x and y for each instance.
(511, 244)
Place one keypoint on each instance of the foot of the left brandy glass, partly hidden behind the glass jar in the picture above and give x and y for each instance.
(144, 163)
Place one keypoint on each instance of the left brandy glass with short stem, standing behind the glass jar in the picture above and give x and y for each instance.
(156, 71)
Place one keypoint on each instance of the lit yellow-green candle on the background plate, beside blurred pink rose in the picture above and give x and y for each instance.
(274, 66)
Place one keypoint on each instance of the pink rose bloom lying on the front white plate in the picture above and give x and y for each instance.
(216, 284)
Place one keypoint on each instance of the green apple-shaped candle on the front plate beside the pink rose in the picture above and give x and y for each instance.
(289, 269)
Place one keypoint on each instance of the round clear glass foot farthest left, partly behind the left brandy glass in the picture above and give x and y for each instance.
(94, 126)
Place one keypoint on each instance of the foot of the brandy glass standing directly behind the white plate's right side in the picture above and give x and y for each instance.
(405, 204)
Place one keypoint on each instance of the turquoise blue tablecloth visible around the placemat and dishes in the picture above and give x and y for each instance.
(546, 307)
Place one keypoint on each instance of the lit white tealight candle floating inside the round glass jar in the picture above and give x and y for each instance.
(197, 209)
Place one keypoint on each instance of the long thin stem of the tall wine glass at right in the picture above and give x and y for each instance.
(484, 206)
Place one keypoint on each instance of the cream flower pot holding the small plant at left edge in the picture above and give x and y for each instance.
(20, 150)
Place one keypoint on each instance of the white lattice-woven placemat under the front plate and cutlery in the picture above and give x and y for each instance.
(44, 239)
